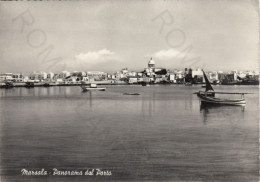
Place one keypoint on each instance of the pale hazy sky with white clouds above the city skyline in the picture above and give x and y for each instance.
(114, 34)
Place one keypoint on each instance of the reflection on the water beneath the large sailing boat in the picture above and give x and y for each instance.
(230, 112)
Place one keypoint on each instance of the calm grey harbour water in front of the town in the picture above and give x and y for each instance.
(161, 135)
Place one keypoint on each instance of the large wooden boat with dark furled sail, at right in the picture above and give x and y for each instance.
(207, 97)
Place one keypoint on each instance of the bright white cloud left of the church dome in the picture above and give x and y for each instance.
(95, 55)
